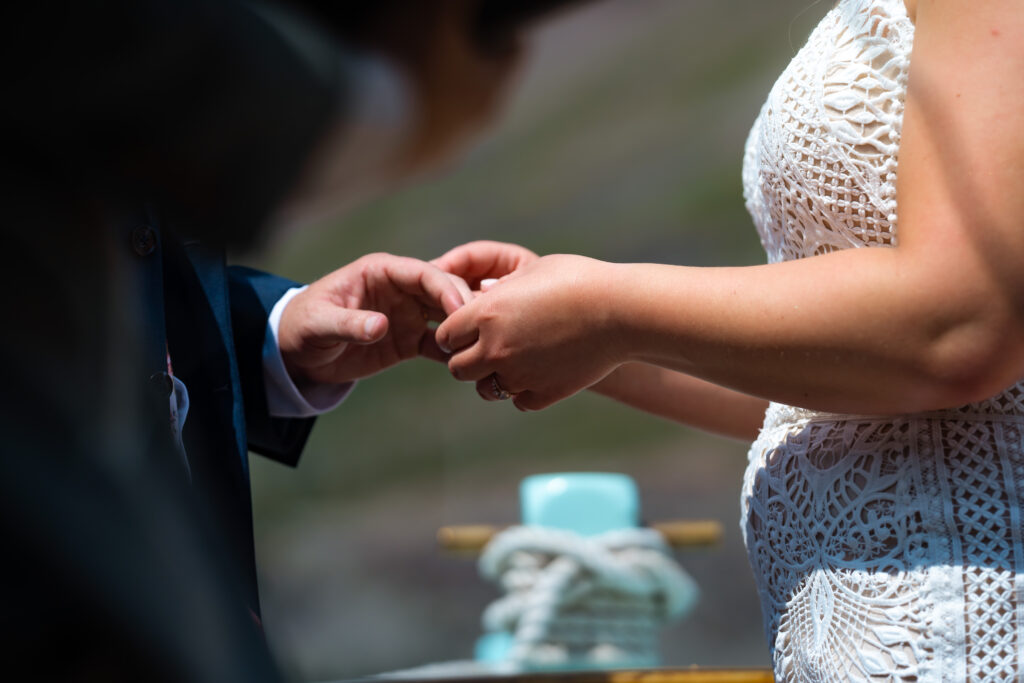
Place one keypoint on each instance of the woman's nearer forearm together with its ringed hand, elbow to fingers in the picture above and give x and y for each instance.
(875, 331)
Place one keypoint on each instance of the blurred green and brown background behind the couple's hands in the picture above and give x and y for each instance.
(622, 142)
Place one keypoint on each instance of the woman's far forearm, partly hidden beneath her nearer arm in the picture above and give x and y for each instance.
(688, 400)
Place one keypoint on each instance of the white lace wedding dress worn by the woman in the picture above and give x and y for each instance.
(884, 549)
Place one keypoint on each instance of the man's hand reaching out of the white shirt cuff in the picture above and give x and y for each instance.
(366, 317)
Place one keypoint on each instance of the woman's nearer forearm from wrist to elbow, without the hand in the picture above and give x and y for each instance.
(863, 331)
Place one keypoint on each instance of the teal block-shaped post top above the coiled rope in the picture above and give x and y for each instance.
(588, 503)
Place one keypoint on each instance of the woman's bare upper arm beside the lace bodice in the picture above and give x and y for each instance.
(961, 187)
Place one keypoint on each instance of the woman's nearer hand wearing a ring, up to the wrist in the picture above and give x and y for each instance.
(543, 334)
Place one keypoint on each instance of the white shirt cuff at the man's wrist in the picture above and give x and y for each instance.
(284, 400)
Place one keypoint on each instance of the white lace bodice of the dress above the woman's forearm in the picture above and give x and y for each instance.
(830, 133)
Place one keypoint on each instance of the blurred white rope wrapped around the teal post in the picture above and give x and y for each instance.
(575, 602)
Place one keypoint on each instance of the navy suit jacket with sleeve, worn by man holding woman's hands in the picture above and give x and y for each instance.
(211, 320)
